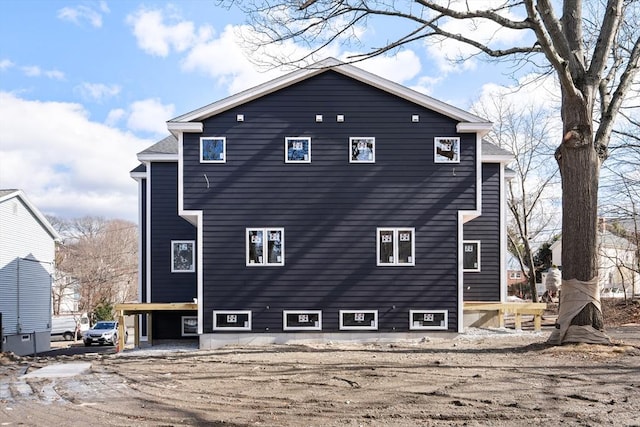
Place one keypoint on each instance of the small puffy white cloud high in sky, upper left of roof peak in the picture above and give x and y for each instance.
(159, 32)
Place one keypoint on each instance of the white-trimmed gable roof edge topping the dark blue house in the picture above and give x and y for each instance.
(189, 122)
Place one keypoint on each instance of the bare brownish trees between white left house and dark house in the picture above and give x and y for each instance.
(98, 259)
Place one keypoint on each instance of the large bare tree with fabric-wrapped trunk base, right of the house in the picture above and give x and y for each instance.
(593, 52)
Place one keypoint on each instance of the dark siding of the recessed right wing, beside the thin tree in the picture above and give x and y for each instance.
(484, 285)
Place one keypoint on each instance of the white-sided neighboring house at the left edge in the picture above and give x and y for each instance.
(27, 255)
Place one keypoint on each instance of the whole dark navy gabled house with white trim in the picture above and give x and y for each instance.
(328, 203)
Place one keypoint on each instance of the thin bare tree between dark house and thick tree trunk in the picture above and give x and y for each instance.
(525, 129)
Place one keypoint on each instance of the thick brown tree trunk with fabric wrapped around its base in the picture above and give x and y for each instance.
(579, 164)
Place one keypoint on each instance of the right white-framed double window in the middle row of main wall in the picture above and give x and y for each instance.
(395, 246)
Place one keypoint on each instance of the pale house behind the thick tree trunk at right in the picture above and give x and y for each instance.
(617, 258)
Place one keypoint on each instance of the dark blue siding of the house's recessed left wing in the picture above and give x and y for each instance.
(166, 226)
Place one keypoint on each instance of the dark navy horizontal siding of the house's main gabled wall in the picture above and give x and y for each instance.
(329, 209)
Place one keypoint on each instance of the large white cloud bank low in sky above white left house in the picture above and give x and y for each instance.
(67, 164)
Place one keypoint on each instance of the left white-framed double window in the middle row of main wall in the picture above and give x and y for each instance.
(265, 246)
